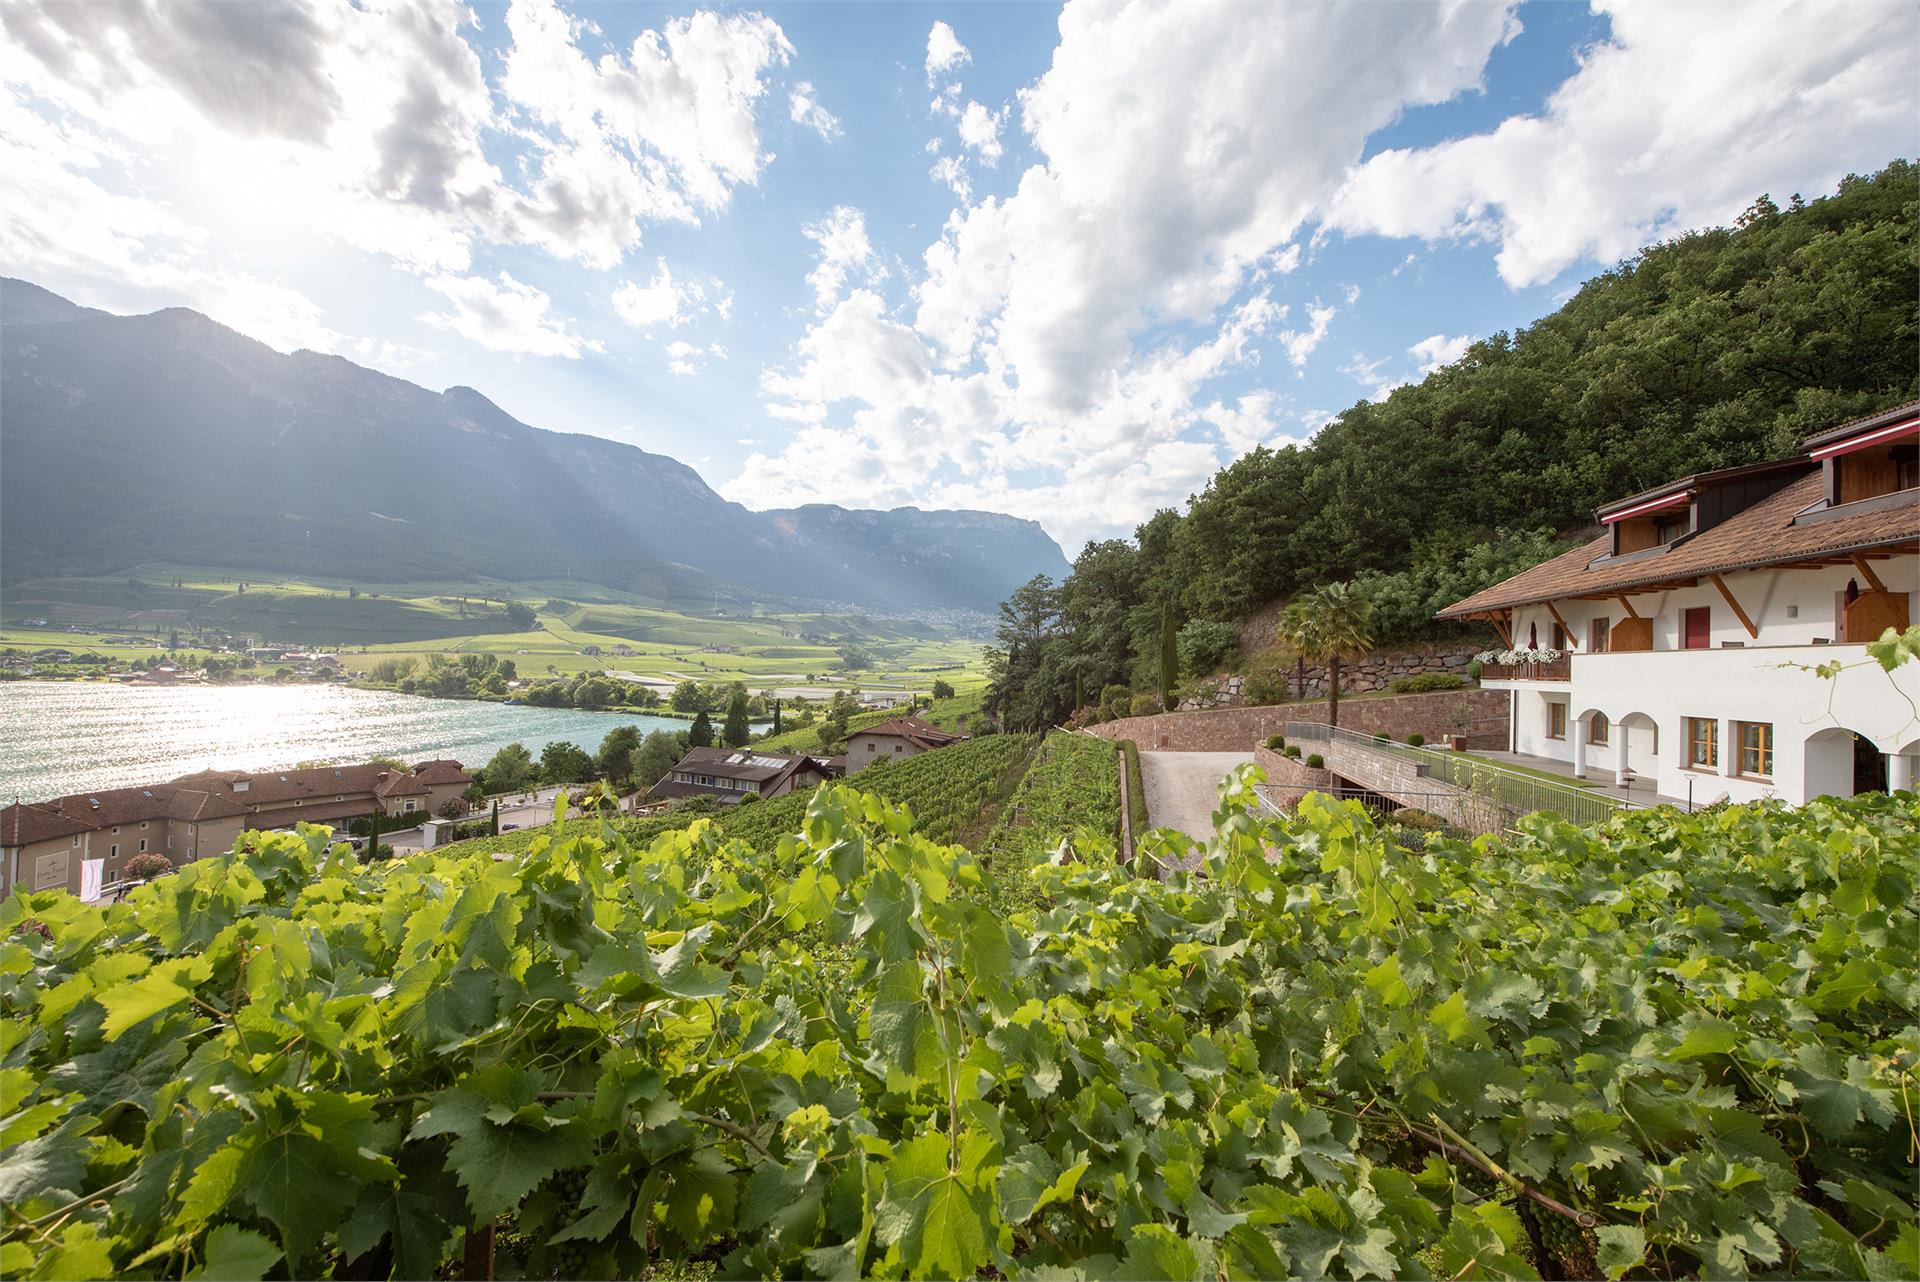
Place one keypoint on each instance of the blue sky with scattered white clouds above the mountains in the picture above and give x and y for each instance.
(1061, 262)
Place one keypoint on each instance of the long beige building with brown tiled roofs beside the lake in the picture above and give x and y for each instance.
(85, 840)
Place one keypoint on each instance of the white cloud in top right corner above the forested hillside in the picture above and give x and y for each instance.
(1679, 120)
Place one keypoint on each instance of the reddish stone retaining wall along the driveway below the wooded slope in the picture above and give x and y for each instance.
(1479, 715)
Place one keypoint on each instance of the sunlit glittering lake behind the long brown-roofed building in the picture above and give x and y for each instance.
(62, 738)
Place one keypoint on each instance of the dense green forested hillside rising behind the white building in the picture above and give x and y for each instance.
(1717, 348)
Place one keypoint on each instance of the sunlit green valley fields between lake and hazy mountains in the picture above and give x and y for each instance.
(748, 642)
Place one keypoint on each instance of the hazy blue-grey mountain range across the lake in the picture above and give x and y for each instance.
(178, 440)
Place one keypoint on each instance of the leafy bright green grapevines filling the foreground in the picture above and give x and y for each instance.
(1668, 1047)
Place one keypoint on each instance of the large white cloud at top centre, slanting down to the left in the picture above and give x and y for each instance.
(1247, 118)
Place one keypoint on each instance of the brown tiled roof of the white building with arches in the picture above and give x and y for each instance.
(1760, 536)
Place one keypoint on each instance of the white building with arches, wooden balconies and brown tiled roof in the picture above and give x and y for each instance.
(1679, 648)
